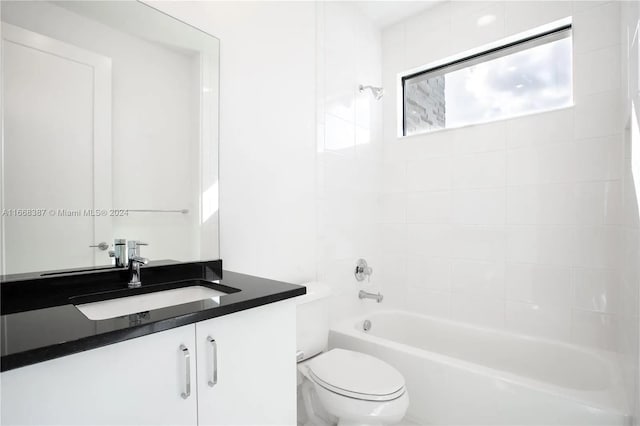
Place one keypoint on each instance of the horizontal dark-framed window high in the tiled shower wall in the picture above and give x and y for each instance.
(526, 76)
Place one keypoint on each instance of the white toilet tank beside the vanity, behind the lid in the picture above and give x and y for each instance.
(312, 320)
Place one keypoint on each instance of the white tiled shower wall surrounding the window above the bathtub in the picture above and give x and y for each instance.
(512, 224)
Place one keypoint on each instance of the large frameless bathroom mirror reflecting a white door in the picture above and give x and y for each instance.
(110, 130)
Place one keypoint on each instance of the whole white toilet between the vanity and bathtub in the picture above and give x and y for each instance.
(340, 386)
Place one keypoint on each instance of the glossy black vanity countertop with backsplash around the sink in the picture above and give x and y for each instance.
(39, 321)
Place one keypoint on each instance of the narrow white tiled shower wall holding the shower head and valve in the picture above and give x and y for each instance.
(349, 148)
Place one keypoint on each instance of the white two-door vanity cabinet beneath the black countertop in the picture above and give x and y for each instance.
(143, 381)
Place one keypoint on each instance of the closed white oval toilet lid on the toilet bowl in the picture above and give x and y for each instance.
(356, 375)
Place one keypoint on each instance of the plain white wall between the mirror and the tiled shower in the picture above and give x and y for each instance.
(267, 133)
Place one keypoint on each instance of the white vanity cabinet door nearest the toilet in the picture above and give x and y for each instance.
(247, 367)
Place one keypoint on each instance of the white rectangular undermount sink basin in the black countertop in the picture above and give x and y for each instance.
(145, 302)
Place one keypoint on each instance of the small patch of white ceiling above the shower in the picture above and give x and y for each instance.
(385, 13)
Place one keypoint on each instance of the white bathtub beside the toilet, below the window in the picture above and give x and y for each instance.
(459, 374)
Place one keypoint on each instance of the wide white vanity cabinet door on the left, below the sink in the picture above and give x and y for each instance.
(136, 382)
